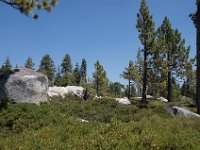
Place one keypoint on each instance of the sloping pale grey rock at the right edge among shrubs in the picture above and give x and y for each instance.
(175, 110)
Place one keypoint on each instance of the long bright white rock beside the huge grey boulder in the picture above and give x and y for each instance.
(62, 91)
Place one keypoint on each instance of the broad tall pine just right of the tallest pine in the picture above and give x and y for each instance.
(173, 54)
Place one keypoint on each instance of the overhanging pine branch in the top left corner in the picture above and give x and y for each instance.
(26, 6)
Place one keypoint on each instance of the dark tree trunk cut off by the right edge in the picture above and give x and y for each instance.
(198, 58)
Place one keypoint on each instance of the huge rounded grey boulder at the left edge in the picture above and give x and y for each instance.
(23, 85)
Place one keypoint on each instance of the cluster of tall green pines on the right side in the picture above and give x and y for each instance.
(163, 62)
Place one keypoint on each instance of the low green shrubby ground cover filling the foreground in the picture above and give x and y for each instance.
(54, 125)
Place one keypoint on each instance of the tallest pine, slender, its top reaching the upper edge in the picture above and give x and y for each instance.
(146, 28)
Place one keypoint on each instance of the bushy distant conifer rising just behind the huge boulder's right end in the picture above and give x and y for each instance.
(47, 67)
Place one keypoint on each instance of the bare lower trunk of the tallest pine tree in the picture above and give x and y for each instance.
(144, 90)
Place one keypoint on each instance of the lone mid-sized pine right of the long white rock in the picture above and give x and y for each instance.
(100, 79)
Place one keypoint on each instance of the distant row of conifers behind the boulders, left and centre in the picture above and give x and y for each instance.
(66, 74)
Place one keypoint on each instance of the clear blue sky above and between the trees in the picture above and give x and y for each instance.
(91, 29)
